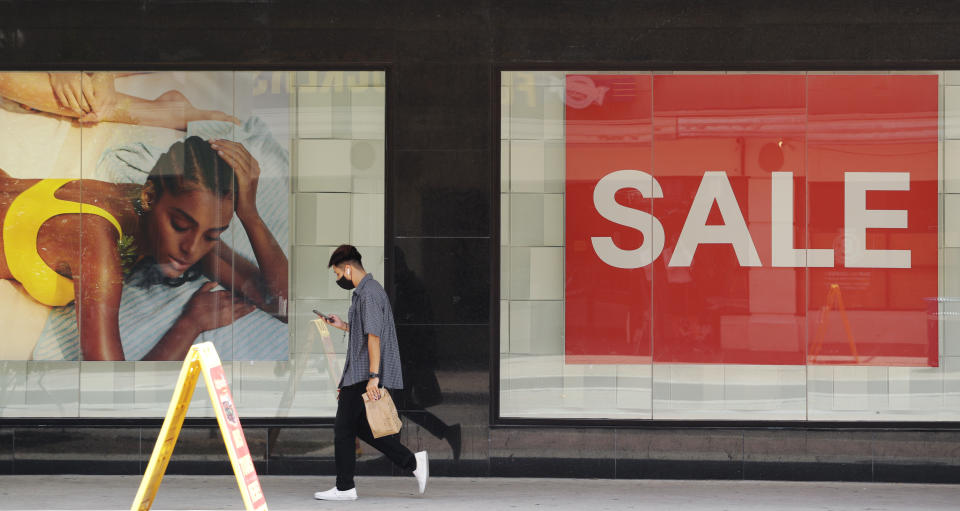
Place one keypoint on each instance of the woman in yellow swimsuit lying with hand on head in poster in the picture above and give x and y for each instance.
(55, 231)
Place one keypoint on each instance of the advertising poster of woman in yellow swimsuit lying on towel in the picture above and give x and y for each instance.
(143, 213)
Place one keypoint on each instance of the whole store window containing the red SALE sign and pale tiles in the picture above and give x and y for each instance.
(729, 246)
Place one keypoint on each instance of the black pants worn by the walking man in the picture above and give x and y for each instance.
(351, 423)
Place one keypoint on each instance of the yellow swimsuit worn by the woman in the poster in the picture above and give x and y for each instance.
(27, 213)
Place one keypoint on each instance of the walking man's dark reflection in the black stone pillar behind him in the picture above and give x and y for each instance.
(419, 356)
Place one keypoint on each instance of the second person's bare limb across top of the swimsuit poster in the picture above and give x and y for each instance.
(91, 97)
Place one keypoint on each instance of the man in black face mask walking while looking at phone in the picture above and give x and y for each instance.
(373, 361)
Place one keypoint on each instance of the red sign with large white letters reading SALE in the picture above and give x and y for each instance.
(752, 219)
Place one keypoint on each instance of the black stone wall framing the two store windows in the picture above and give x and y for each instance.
(442, 59)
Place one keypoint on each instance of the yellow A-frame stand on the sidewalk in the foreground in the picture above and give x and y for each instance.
(202, 358)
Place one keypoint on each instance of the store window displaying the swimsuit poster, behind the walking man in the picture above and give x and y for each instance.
(194, 183)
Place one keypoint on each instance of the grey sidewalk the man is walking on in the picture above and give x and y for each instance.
(488, 494)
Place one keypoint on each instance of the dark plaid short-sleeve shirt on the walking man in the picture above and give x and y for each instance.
(370, 313)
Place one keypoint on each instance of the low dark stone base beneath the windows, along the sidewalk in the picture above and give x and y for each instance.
(113, 451)
